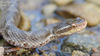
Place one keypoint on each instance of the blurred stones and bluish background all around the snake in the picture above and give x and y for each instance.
(44, 12)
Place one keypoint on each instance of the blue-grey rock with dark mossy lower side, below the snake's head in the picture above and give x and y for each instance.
(82, 42)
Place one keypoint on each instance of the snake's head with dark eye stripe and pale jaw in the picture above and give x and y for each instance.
(69, 26)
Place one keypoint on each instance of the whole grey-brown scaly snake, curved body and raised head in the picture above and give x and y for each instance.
(10, 18)
